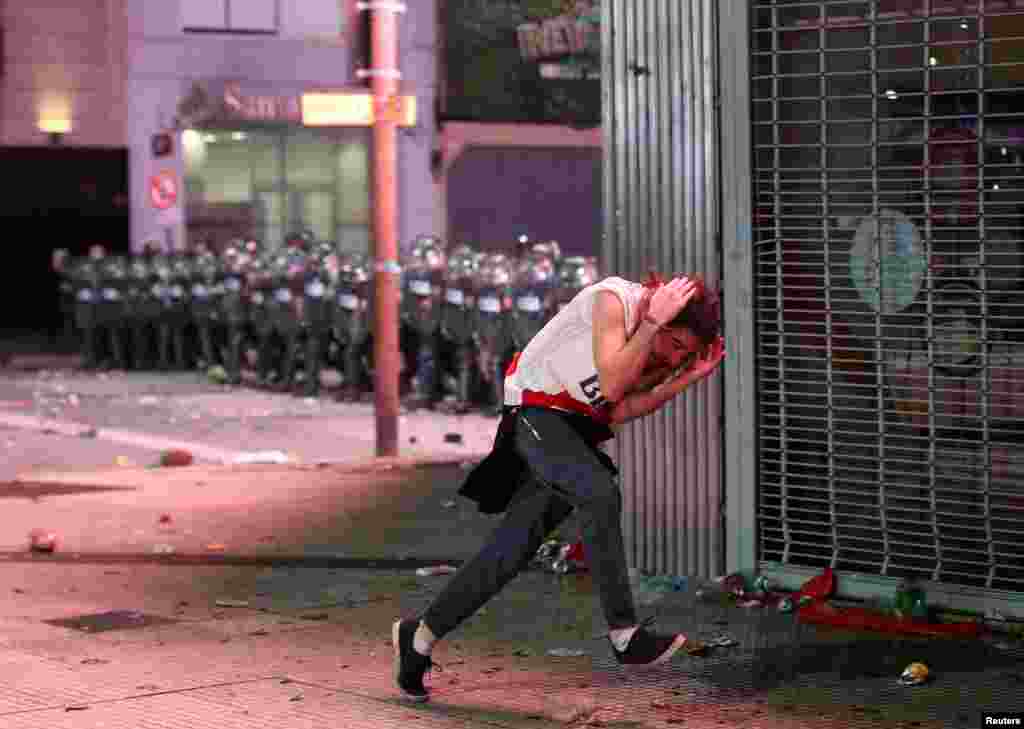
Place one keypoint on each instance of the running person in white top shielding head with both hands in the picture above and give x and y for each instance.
(618, 352)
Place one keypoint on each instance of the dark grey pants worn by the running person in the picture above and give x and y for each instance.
(565, 474)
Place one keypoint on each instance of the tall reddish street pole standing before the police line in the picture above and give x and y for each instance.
(385, 79)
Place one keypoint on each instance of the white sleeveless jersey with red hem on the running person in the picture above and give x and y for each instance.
(558, 368)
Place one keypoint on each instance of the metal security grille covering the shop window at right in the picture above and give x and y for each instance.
(889, 185)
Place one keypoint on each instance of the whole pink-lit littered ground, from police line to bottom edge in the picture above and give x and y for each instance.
(308, 647)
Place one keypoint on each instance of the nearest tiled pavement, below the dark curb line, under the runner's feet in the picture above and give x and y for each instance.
(311, 651)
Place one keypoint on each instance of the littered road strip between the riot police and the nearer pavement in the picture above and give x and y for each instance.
(53, 420)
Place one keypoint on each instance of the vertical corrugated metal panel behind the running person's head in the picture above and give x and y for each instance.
(661, 213)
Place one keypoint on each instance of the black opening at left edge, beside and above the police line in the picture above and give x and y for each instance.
(55, 197)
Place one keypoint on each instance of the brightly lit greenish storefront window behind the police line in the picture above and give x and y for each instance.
(268, 184)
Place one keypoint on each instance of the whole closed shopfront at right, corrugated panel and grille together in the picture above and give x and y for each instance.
(851, 174)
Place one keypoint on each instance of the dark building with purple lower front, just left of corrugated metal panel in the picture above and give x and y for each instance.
(520, 154)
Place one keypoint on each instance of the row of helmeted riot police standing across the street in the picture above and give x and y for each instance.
(289, 313)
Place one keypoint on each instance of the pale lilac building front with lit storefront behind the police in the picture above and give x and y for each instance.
(228, 80)
